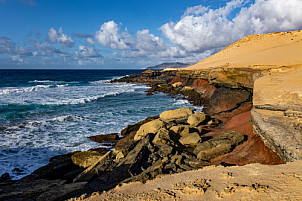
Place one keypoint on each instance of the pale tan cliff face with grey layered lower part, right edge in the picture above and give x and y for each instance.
(277, 113)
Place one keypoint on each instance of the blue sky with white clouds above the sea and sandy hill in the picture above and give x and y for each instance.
(132, 34)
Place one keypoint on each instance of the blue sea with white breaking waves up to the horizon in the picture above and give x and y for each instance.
(44, 113)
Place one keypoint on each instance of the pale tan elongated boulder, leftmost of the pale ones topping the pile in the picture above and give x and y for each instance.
(150, 127)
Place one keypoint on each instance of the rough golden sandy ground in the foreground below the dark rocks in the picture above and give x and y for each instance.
(250, 182)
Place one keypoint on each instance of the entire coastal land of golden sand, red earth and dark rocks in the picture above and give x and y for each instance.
(251, 114)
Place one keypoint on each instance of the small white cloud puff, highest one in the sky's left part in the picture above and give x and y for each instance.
(55, 36)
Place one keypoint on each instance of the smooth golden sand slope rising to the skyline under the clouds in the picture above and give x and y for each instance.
(258, 51)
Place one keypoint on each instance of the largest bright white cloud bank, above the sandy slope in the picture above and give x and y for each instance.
(203, 29)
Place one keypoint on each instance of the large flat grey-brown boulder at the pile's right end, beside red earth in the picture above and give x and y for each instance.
(218, 145)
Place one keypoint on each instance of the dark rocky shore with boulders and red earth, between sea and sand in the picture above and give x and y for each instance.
(173, 142)
